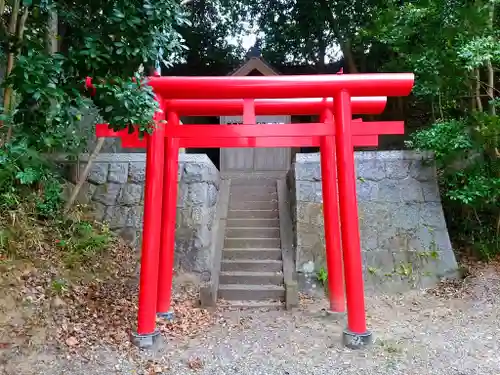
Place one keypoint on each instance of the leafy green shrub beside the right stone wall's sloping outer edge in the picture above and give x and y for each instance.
(466, 153)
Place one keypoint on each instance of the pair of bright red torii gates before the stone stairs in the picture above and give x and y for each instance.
(336, 134)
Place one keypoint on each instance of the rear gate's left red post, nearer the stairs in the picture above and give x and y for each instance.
(167, 250)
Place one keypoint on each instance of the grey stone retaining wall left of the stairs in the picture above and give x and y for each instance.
(115, 189)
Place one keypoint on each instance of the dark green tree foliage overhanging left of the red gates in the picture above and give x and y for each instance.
(48, 49)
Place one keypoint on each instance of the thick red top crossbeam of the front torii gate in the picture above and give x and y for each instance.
(275, 87)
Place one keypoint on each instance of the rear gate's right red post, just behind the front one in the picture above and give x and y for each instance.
(331, 218)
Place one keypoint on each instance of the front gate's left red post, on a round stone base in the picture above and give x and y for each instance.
(146, 325)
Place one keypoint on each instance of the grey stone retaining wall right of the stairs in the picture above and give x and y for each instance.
(403, 230)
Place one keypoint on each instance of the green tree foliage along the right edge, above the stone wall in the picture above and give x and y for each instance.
(453, 47)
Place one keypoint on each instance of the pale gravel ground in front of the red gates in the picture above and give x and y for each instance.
(416, 333)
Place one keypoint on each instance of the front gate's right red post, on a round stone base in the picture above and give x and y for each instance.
(356, 334)
